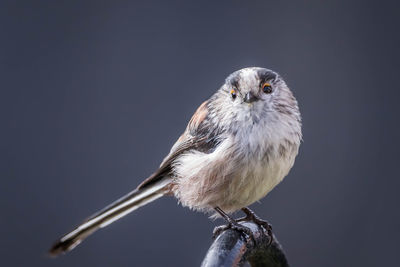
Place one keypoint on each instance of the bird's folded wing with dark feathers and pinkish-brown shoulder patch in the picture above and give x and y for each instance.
(199, 135)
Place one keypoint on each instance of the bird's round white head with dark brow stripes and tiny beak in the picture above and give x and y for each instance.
(251, 95)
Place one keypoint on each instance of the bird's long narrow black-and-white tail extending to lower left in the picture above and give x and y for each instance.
(135, 199)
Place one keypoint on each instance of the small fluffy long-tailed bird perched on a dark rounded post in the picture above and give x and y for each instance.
(238, 145)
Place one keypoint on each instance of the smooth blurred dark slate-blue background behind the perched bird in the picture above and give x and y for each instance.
(94, 93)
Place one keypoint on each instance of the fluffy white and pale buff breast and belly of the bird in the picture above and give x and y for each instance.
(241, 170)
